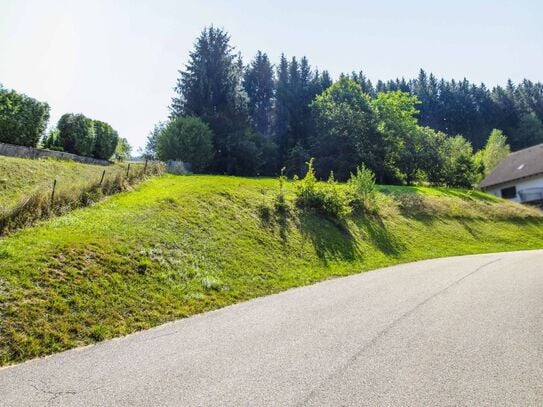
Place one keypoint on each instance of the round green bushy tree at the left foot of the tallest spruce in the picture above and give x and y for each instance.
(186, 139)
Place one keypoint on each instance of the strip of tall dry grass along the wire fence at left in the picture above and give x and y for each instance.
(42, 204)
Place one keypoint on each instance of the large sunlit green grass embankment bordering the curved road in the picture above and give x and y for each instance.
(182, 245)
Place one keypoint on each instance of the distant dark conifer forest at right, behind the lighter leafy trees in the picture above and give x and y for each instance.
(461, 107)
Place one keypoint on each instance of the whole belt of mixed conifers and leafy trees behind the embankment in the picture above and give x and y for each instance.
(256, 119)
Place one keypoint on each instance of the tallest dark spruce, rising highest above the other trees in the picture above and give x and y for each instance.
(210, 88)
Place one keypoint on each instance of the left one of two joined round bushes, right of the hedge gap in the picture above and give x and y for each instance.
(76, 134)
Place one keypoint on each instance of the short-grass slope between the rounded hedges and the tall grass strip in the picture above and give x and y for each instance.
(19, 177)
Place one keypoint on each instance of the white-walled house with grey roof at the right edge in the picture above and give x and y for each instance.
(519, 177)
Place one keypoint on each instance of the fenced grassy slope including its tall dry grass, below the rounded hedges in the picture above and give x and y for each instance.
(26, 187)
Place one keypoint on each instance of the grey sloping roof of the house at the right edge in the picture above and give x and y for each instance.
(520, 164)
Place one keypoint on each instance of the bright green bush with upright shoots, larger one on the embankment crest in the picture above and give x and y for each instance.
(326, 198)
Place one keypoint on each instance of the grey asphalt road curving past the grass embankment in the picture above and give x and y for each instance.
(456, 331)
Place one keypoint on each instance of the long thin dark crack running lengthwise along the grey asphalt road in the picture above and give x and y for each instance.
(386, 330)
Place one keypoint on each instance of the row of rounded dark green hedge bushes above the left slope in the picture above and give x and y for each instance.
(23, 121)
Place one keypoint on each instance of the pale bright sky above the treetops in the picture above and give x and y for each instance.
(117, 61)
